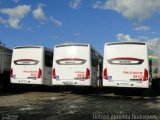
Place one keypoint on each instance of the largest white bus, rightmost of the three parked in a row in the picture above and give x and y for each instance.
(126, 64)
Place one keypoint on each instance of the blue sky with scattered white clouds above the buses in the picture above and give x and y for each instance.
(52, 22)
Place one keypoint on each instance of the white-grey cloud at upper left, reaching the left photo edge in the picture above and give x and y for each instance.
(15, 15)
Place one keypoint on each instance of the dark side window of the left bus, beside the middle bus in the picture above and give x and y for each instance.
(48, 59)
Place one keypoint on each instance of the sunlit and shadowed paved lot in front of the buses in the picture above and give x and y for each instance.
(75, 105)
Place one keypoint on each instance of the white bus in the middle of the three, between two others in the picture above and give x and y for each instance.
(76, 64)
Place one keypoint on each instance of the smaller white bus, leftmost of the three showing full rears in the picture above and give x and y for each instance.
(32, 65)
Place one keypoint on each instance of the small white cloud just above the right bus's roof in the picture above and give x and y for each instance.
(125, 38)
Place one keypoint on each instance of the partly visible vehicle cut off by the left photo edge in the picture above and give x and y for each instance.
(5, 67)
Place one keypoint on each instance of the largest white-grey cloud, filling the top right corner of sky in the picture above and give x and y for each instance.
(132, 9)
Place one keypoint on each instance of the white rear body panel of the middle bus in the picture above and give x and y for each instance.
(70, 63)
